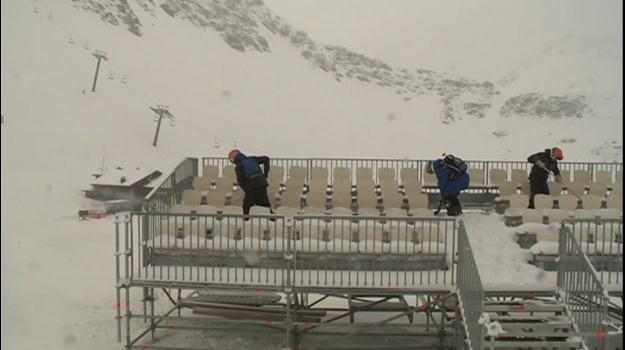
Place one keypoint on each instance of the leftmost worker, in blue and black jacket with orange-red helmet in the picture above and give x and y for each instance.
(251, 178)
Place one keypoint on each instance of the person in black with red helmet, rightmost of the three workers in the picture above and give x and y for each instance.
(544, 163)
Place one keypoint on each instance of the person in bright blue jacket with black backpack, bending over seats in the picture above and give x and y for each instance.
(450, 183)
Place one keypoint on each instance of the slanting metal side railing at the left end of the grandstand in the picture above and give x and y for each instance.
(169, 191)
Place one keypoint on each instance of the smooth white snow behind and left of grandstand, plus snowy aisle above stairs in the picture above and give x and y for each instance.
(58, 272)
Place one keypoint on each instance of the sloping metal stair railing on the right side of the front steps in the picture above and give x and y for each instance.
(581, 289)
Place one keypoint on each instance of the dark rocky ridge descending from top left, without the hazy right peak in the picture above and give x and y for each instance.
(250, 26)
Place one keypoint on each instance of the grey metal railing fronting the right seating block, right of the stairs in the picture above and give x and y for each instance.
(602, 241)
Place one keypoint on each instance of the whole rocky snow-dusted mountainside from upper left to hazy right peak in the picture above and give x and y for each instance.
(251, 26)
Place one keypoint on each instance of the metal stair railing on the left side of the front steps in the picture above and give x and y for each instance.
(470, 290)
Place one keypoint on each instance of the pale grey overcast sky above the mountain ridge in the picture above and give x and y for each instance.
(478, 38)
